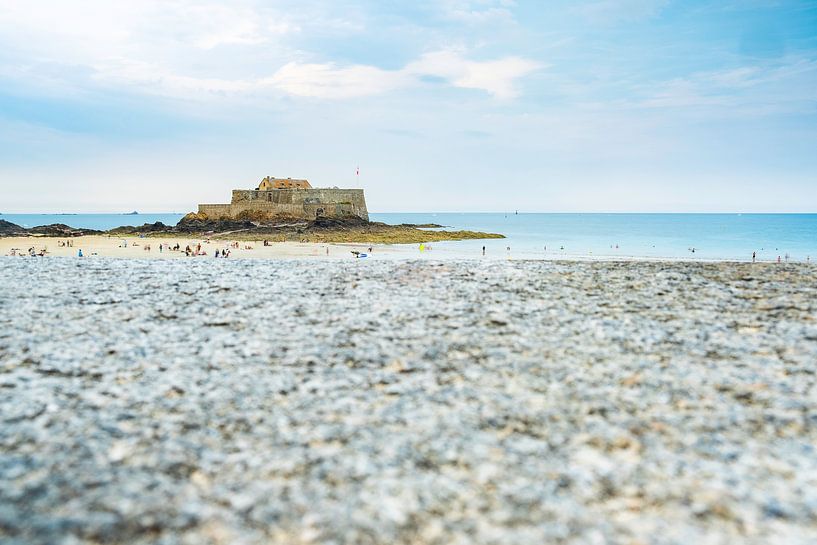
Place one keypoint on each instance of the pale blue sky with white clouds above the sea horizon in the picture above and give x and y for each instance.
(446, 105)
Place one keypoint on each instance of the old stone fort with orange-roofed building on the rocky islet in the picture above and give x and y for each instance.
(290, 198)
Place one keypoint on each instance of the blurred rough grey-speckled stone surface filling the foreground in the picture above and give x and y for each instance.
(367, 402)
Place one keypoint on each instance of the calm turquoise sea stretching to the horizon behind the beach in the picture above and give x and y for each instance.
(791, 237)
